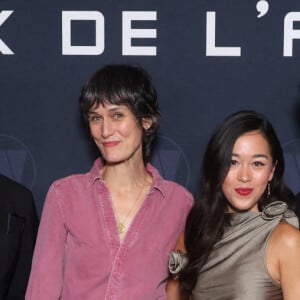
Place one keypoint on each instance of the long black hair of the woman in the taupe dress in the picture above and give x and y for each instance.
(204, 226)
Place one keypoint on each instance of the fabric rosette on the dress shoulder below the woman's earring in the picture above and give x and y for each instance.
(279, 209)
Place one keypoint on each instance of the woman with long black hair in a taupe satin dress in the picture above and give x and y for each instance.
(241, 239)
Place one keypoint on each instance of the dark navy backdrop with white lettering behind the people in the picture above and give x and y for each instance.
(199, 83)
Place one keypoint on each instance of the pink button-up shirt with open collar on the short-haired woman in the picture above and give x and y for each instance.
(78, 254)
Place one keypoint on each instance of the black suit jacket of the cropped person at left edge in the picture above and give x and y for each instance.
(18, 229)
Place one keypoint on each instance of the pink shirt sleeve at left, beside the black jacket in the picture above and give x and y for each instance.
(45, 280)
